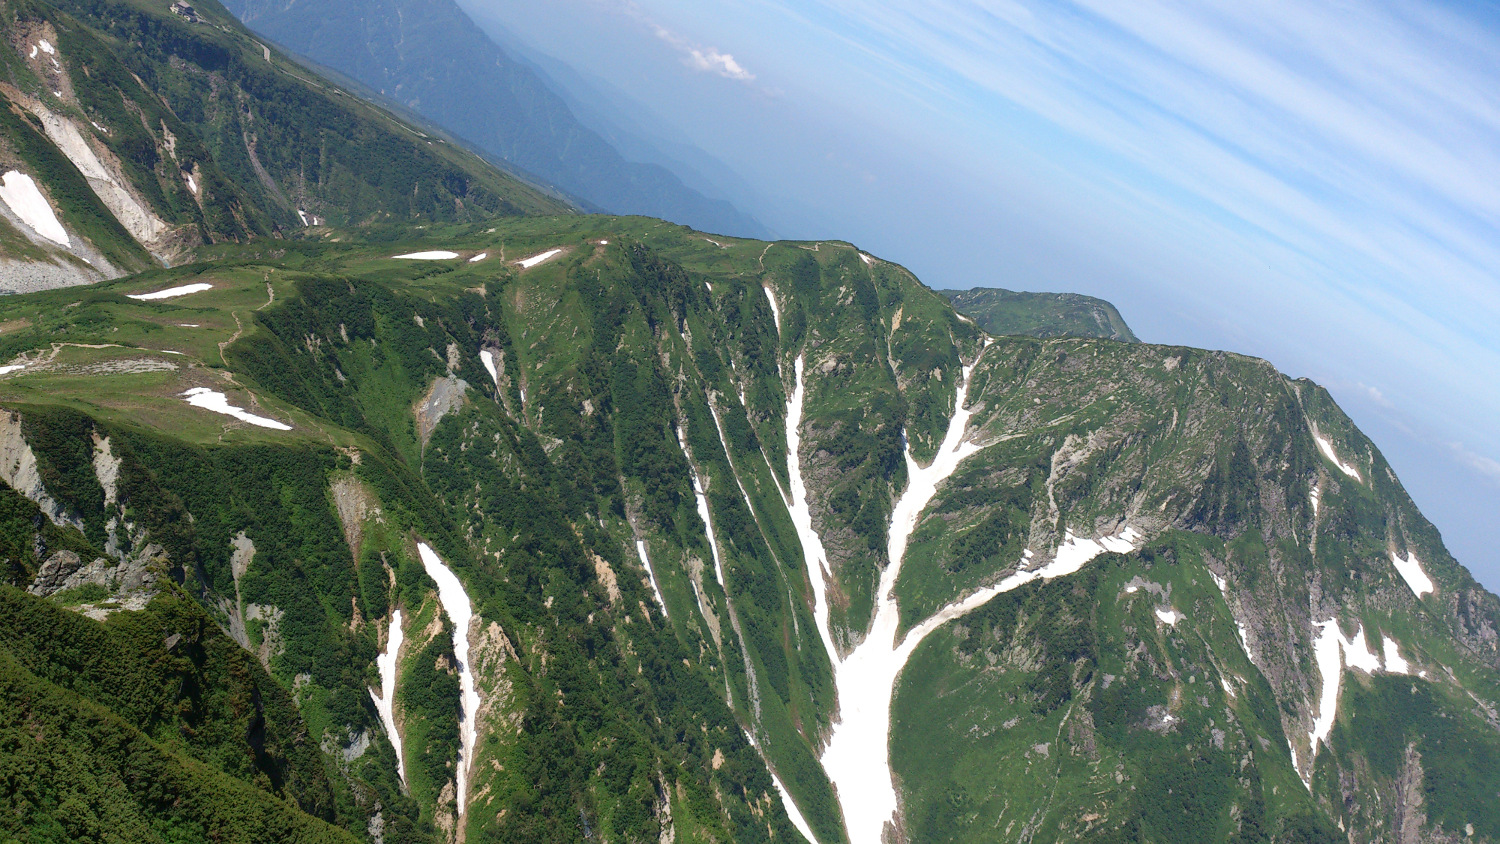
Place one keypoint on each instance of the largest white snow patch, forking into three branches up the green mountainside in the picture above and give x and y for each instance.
(857, 758)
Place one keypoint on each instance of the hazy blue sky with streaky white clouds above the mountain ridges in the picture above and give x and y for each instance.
(1315, 184)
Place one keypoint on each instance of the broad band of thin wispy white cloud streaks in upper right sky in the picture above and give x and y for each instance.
(1354, 148)
